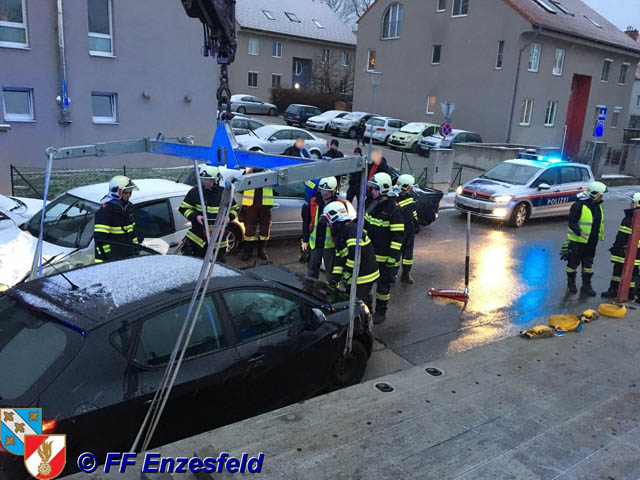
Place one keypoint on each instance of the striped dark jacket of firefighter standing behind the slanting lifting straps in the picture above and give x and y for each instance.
(191, 208)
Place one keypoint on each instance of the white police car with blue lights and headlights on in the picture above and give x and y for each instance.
(529, 186)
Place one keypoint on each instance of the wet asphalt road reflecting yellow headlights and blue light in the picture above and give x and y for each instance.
(517, 281)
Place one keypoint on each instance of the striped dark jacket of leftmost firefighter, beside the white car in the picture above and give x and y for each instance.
(115, 222)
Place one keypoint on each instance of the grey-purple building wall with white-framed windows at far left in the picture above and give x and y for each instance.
(133, 69)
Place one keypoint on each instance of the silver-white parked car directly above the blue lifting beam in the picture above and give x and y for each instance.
(276, 139)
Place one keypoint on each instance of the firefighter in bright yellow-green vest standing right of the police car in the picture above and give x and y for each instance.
(586, 227)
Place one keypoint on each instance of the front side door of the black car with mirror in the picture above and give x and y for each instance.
(284, 360)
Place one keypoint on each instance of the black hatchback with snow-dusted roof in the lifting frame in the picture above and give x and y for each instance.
(90, 349)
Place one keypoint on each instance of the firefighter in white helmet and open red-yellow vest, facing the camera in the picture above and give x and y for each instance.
(316, 234)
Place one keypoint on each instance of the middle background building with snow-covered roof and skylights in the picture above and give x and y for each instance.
(291, 44)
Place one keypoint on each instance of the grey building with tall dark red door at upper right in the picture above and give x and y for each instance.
(519, 71)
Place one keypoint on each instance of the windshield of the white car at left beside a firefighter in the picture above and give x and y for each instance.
(68, 222)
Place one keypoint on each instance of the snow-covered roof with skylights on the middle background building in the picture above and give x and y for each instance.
(251, 14)
